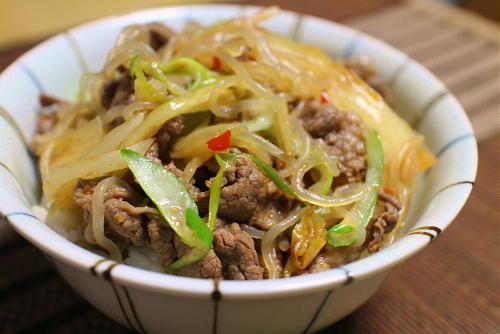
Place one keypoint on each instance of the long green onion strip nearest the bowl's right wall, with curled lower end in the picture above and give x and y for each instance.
(365, 207)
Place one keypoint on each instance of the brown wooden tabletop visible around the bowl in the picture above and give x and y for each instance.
(449, 287)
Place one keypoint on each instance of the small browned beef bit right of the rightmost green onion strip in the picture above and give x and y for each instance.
(384, 222)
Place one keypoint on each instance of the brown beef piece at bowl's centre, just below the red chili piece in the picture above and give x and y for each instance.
(246, 189)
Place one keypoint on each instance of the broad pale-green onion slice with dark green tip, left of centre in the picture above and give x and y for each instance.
(174, 203)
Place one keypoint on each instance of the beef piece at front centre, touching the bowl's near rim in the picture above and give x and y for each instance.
(236, 251)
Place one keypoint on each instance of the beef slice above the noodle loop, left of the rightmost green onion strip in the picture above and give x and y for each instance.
(342, 132)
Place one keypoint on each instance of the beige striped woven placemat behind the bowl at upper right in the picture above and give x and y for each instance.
(460, 48)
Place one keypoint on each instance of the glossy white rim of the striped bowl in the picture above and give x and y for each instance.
(64, 250)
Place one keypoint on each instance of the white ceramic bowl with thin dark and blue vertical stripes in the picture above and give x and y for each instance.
(156, 303)
